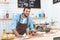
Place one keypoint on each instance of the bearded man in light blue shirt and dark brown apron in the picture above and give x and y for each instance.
(22, 22)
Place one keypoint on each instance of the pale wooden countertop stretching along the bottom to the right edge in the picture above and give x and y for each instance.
(42, 36)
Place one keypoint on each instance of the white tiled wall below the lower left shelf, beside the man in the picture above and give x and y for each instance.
(5, 24)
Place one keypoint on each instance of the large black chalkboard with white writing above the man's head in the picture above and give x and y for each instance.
(29, 3)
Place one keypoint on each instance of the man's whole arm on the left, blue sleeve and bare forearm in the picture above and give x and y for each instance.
(14, 24)
